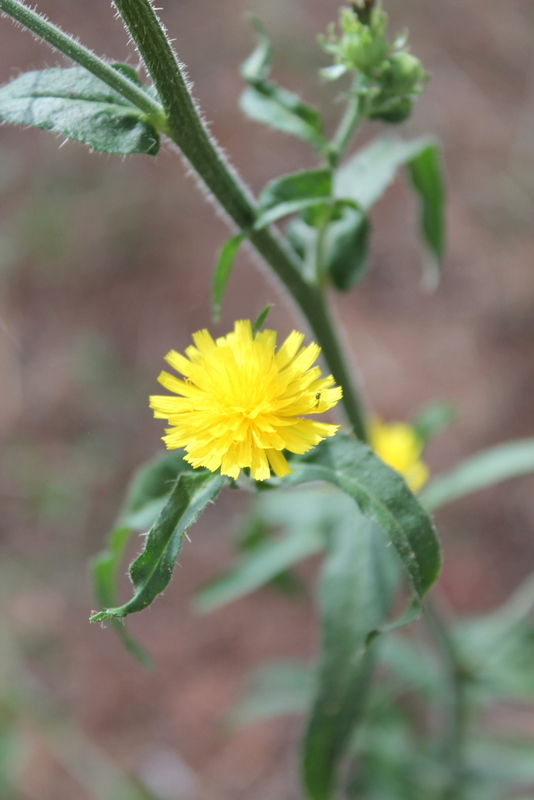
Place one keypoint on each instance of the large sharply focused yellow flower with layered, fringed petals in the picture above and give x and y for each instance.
(241, 401)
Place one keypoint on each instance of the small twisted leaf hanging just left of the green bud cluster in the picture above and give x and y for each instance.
(264, 101)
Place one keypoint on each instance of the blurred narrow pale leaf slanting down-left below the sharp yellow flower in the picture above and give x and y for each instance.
(258, 566)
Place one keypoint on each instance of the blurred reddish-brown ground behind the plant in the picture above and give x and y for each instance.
(105, 264)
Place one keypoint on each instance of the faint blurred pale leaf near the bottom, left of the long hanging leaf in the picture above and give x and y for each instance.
(281, 688)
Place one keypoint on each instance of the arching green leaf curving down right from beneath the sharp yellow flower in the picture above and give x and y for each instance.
(382, 496)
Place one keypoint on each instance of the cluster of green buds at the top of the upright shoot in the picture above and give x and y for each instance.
(389, 78)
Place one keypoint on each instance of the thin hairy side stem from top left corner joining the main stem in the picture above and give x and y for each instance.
(63, 42)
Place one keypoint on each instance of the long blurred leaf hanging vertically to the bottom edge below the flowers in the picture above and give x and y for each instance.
(355, 594)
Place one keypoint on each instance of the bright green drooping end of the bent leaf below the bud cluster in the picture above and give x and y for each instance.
(426, 176)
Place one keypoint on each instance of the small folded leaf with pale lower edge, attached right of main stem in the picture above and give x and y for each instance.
(292, 193)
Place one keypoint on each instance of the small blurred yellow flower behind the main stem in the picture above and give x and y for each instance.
(398, 445)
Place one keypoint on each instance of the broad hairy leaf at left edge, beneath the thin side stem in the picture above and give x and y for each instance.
(75, 103)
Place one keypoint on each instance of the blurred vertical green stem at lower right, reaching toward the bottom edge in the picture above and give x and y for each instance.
(457, 716)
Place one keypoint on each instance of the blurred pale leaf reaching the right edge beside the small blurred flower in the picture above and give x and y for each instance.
(482, 470)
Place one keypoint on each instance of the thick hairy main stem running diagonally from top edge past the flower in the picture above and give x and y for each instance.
(188, 131)
